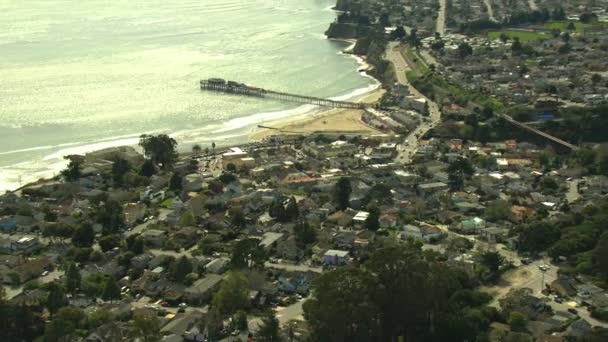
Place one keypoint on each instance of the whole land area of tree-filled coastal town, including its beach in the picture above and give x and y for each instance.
(466, 200)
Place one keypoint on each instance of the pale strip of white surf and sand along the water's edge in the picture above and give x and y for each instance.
(315, 119)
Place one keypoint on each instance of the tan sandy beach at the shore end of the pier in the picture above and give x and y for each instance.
(332, 120)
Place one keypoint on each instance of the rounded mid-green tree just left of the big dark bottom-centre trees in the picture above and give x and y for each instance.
(233, 294)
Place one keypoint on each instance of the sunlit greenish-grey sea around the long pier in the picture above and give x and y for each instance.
(81, 75)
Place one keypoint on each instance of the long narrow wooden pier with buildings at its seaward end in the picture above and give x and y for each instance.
(231, 87)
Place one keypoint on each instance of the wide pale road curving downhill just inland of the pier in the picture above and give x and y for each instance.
(408, 147)
